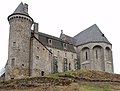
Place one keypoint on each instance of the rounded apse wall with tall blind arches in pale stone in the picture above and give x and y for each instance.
(96, 56)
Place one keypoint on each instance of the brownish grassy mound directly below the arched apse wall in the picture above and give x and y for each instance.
(89, 75)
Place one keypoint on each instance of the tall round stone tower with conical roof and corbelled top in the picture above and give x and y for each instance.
(18, 64)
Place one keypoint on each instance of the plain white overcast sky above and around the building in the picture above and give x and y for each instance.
(71, 16)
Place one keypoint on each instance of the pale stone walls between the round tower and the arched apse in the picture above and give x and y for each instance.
(42, 59)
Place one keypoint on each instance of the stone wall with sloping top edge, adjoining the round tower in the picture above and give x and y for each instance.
(41, 59)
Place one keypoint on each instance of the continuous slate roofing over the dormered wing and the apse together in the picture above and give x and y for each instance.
(89, 35)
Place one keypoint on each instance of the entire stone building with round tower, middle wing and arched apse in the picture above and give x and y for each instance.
(33, 54)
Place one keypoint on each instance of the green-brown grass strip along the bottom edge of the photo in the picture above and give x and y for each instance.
(72, 87)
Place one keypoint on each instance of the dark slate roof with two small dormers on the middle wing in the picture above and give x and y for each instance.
(56, 42)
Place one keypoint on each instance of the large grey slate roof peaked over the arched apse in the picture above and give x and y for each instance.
(91, 34)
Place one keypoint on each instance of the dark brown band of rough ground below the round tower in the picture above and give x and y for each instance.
(33, 82)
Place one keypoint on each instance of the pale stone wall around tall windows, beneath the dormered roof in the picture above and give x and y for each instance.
(60, 55)
